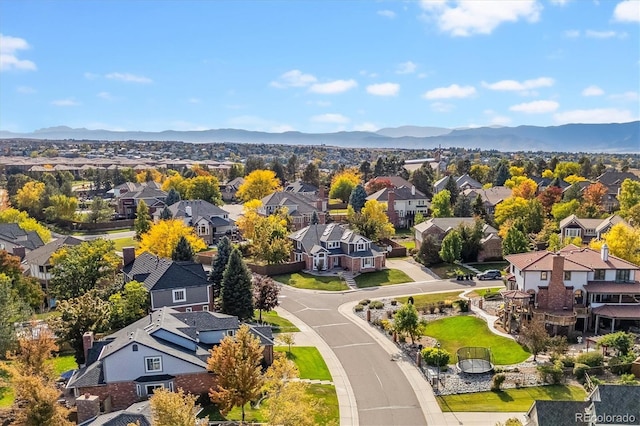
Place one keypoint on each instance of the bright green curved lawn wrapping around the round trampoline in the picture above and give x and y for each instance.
(459, 331)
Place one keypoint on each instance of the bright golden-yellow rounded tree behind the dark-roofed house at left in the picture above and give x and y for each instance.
(163, 238)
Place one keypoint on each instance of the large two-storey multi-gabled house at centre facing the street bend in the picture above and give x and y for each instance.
(323, 247)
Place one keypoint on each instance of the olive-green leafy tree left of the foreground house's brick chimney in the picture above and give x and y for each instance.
(79, 315)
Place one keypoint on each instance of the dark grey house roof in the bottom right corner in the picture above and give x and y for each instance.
(605, 405)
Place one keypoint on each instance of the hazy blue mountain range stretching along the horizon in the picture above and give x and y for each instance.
(615, 137)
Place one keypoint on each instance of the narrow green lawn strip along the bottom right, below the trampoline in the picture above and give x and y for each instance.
(509, 399)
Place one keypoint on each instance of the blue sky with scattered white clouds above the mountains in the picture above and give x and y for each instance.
(317, 66)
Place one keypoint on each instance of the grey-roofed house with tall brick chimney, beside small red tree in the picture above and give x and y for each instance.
(402, 204)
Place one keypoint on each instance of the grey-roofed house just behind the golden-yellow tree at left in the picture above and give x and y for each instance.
(209, 221)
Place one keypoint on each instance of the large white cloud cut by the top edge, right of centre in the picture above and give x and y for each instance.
(469, 17)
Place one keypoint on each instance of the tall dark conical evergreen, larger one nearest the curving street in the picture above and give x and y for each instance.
(237, 291)
